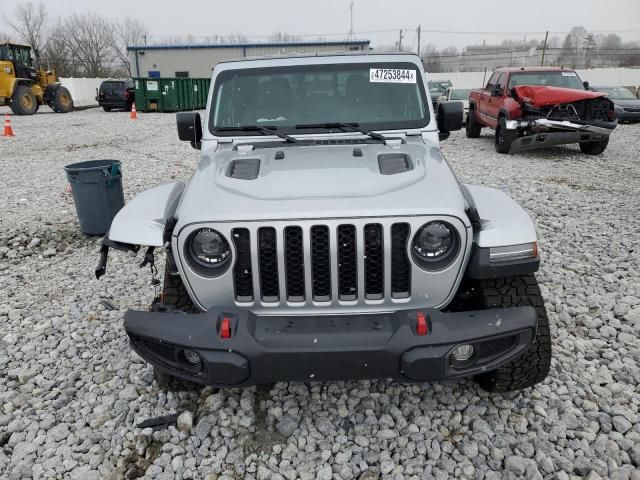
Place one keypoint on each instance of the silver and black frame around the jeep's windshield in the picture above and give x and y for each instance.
(225, 74)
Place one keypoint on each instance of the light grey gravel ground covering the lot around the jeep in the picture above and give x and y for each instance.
(72, 394)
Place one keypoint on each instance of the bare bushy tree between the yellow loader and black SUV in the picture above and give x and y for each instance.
(89, 41)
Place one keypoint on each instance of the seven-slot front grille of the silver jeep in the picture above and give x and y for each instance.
(344, 262)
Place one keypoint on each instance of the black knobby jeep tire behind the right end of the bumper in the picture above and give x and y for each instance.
(533, 366)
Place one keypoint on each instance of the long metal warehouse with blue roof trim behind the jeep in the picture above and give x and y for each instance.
(198, 60)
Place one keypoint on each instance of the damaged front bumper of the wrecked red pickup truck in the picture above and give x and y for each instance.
(545, 132)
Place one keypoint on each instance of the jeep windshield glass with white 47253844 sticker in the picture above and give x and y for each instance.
(381, 96)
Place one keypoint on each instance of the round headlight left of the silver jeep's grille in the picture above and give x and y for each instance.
(208, 251)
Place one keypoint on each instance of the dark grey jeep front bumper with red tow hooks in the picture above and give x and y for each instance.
(266, 349)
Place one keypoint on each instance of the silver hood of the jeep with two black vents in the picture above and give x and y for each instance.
(322, 181)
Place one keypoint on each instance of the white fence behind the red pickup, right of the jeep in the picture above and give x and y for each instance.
(595, 76)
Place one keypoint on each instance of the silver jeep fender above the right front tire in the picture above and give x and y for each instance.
(503, 221)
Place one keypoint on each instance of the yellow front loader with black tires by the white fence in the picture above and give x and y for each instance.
(24, 88)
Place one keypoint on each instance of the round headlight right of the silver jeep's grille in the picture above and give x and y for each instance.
(435, 245)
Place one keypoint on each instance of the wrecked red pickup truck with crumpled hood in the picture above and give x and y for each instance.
(534, 107)
